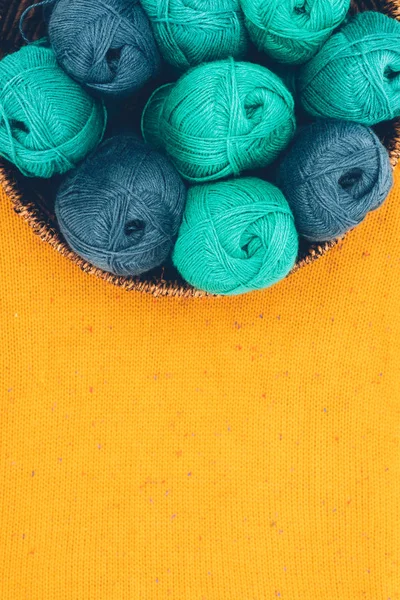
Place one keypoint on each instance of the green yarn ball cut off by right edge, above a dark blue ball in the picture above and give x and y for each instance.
(355, 76)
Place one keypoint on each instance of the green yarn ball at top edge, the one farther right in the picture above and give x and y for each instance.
(292, 31)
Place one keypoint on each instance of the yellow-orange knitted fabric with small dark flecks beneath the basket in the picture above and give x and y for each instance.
(219, 449)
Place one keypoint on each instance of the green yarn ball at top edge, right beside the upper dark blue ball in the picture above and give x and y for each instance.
(190, 32)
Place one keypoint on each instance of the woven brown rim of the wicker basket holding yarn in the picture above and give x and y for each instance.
(32, 214)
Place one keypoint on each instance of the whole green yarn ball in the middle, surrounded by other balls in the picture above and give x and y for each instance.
(220, 119)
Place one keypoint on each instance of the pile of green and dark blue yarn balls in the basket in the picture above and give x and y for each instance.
(261, 136)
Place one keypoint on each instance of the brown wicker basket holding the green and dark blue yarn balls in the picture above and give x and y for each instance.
(33, 199)
